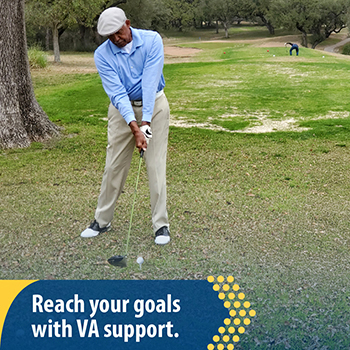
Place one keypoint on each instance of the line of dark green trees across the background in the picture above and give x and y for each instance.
(71, 24)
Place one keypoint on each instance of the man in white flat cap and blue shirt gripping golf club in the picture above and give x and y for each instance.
(130, 64)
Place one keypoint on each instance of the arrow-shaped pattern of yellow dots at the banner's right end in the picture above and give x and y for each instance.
(240, 313)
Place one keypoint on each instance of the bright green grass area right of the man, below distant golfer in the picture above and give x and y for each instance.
(235, 82)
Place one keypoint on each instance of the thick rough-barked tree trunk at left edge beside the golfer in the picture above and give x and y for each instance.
(22, 120)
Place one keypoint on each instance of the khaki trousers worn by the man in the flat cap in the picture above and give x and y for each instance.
(121, 145)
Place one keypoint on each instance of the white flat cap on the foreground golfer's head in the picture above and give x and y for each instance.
(110, 21)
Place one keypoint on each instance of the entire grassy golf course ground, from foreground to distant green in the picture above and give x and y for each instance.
(271, 209)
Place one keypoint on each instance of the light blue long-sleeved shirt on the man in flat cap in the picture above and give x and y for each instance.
(137, 75)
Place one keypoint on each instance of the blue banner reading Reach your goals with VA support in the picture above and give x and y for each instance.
(123, 315)
